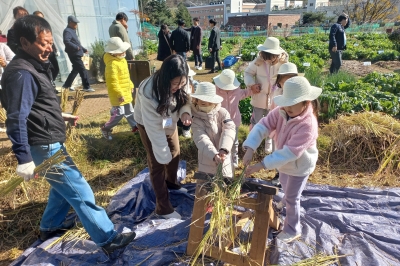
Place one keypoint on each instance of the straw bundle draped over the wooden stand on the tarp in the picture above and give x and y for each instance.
(223, 197)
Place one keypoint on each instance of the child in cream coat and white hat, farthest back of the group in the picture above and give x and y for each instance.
(261, 75)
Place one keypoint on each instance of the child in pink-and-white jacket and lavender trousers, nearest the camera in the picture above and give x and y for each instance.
(296, 154)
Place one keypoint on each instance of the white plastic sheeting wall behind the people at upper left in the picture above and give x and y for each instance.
(95, 17)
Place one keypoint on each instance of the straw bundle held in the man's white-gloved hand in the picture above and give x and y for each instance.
(41, 170)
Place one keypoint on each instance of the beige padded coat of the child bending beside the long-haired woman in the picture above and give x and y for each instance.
(212, 132)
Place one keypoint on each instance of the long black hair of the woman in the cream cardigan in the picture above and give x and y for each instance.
(172, 67)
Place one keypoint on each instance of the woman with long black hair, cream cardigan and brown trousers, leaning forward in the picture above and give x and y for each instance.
(161, 100)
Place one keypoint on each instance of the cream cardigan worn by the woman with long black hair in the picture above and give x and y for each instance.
(145, 114)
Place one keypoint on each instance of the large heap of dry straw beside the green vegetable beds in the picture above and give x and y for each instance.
(362, 142)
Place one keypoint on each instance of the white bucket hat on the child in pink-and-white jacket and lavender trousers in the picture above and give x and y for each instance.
(296, 90)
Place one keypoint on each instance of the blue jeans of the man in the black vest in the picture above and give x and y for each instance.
(69, 188)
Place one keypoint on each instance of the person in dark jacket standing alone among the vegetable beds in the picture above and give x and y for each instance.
(337, 42)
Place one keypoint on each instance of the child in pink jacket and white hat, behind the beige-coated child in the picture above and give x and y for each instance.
(228, 87)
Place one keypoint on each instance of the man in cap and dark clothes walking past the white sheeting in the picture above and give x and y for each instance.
(75, 50)
